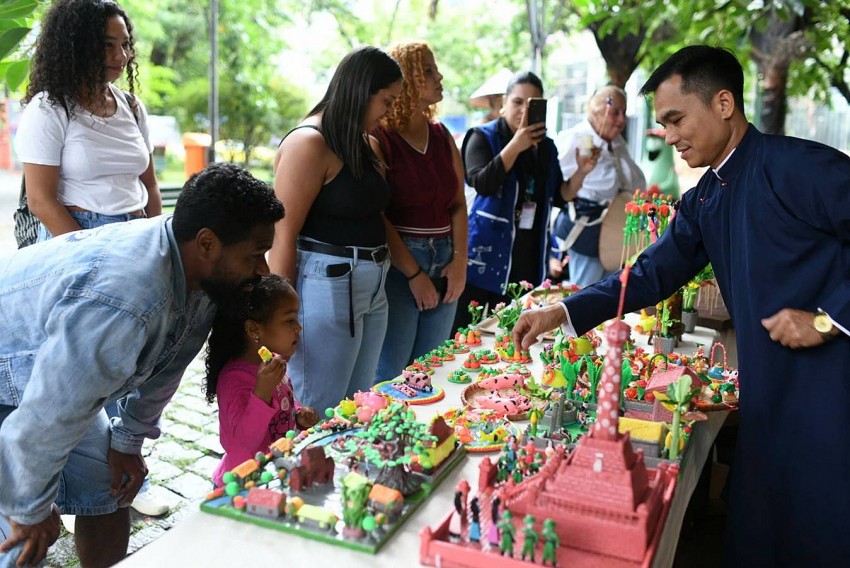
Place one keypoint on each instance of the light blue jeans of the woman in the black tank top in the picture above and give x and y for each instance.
(331, 362)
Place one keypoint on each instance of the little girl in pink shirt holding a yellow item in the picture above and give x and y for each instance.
(256, 403)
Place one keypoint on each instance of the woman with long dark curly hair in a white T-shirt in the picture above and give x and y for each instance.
(83, 142)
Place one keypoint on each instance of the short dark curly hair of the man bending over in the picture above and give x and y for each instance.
(226, 199)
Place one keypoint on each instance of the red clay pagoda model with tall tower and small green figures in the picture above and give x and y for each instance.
(597, 506)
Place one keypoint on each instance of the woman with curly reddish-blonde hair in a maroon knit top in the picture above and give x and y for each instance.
(427, 227)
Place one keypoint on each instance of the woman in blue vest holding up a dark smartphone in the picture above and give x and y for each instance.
(513, 167)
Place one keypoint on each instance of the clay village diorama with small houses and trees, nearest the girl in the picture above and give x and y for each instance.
(343, 482)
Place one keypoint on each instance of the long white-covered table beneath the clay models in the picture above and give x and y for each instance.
(208, 540)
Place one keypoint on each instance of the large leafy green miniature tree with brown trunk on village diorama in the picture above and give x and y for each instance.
(393, 437)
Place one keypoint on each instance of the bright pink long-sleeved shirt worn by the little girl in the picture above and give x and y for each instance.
(247, 424)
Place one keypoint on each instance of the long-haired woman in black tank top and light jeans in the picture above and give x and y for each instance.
(331, 244)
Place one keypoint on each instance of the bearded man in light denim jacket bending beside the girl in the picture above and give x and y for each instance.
(91, 316)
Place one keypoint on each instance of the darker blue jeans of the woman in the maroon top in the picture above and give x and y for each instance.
(411, 333)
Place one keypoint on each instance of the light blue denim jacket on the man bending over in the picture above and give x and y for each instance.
(85, 319)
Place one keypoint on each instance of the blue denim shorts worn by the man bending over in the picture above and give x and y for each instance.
(85, 480)
